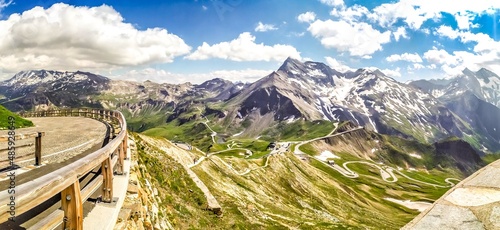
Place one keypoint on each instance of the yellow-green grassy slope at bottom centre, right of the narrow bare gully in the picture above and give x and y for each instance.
(311, 196)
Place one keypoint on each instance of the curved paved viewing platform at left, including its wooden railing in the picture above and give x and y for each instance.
(71, 171)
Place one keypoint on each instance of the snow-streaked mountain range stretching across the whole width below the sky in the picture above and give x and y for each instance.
(426, 110)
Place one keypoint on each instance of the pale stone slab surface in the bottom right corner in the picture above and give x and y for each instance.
(474, 203)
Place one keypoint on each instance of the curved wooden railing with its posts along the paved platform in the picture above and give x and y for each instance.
(66, 180)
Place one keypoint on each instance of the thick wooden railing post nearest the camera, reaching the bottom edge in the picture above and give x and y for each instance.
(72, 205)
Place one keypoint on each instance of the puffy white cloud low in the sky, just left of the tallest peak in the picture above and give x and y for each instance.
(244, 48)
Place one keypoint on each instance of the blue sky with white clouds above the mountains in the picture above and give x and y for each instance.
(178, 41)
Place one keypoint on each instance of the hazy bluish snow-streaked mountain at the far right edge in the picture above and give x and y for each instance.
(475, 98)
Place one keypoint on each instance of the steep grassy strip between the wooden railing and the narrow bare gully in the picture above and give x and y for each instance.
(182, 208)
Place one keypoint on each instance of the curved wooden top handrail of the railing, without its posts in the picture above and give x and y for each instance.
(33, 193)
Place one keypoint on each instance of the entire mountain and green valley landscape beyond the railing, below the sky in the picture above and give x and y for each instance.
(304, 147)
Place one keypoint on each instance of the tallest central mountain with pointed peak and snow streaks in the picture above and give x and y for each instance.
(312, 90)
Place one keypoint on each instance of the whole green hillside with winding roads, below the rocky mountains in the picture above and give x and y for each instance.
(283, 190)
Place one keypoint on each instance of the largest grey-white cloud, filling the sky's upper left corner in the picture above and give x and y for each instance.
(65, 37)
